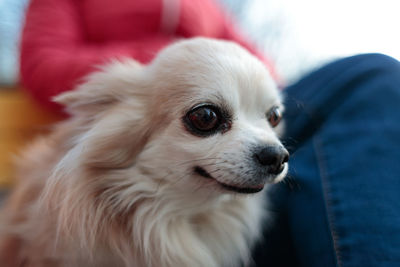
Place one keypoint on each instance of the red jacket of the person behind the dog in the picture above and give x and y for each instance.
(64, 40)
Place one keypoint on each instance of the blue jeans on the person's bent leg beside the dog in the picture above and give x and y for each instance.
(341, 203)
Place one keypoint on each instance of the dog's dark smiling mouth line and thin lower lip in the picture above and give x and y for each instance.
(242, 189)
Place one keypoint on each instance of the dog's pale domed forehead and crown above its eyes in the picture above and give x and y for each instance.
(213, 71)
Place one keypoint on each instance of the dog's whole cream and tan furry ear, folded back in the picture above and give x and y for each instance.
(112, 105)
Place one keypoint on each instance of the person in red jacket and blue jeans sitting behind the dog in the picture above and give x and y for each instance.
(340, 205)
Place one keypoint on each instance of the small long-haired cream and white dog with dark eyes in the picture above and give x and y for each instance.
(158, 165)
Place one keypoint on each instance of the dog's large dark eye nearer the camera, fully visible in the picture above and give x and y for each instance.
(203, 119)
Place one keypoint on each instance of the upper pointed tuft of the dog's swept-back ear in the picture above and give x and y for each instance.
(102, 88)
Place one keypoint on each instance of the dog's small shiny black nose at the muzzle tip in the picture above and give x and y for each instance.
(272, 157)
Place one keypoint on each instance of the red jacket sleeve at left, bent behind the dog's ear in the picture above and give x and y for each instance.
(55, 54)
